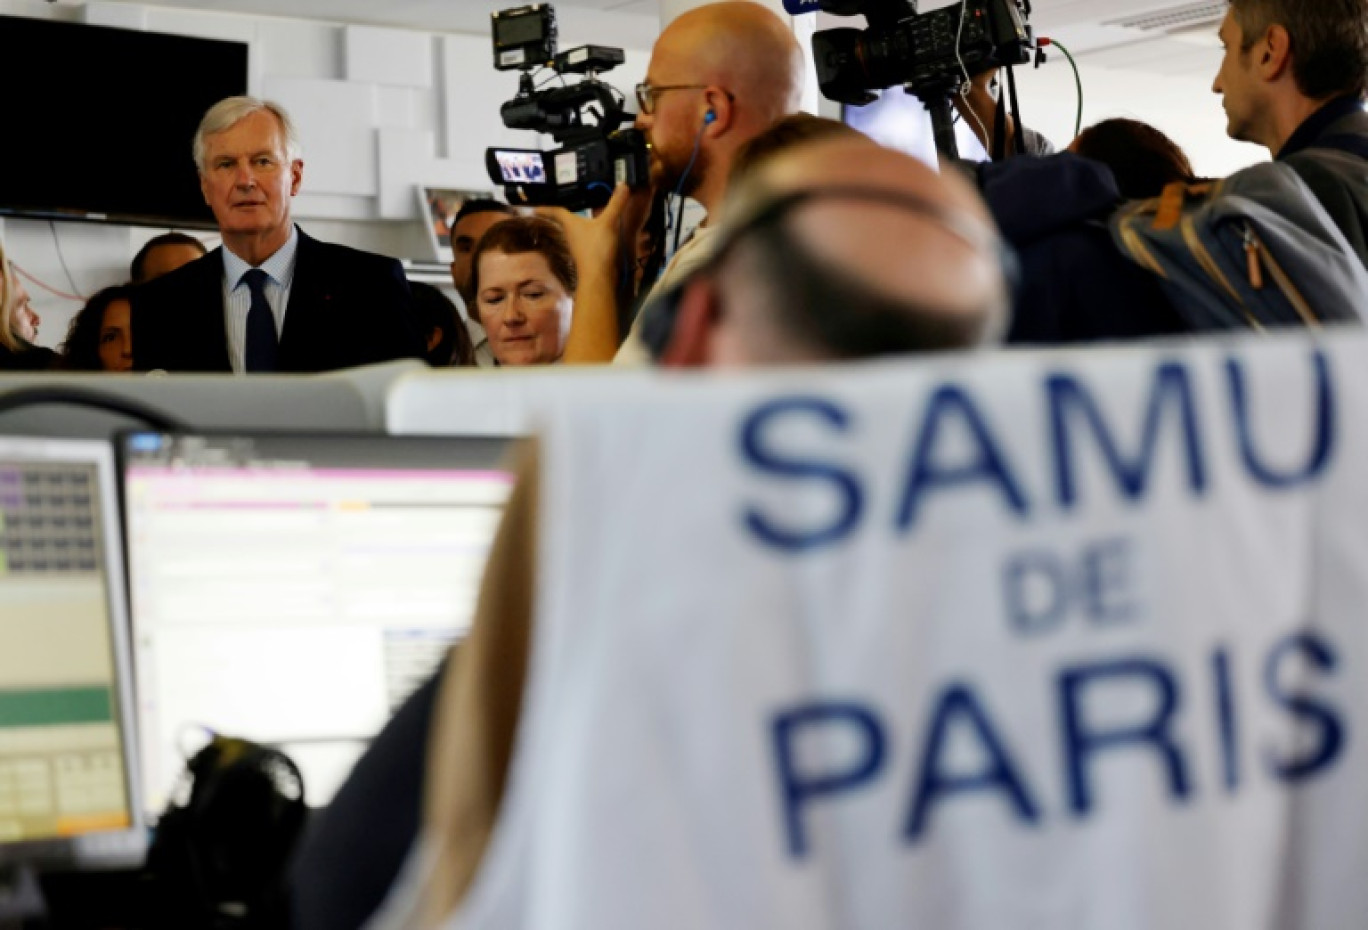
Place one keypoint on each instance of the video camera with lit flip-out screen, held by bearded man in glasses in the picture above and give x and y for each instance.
(594, 157)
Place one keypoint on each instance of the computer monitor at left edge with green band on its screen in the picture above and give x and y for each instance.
(69, 753)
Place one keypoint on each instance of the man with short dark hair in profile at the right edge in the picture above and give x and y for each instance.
(1293, 81)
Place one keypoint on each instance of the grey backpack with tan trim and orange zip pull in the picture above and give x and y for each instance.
(1254, 251)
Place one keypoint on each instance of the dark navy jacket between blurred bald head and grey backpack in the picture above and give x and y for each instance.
(1075, 285)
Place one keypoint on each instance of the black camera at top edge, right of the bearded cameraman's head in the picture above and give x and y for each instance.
(928, 54)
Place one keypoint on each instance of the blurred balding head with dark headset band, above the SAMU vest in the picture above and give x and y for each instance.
(875, 254)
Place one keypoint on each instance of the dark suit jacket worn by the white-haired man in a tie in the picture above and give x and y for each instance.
(347, 308)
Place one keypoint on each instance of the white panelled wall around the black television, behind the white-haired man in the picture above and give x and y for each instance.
(380, 110)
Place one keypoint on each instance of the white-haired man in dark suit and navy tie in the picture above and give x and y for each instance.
(273, 299)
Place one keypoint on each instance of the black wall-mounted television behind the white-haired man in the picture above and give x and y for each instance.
(99, 122)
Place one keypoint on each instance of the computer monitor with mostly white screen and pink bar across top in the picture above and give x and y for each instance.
(295, 590)
